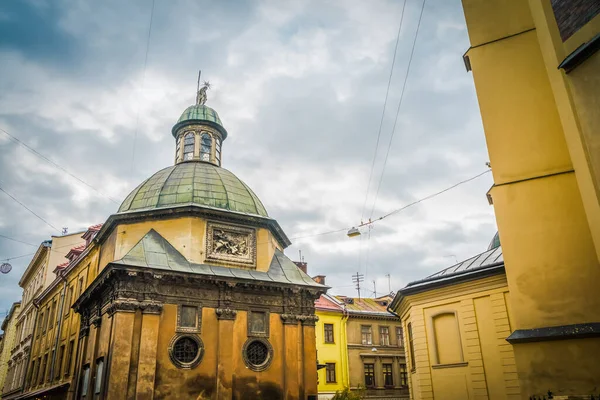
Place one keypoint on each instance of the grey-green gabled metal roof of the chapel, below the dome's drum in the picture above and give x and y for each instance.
(154, 251)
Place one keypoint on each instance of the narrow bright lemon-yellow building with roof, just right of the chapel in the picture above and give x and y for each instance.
(332, 351)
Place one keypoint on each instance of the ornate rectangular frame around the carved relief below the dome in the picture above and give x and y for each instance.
(211, 255)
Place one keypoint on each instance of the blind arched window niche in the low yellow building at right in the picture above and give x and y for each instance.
(449, 349)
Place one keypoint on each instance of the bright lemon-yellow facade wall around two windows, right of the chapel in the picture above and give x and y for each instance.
(336, 352)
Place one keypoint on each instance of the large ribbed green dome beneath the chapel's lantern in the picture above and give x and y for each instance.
(194, 183)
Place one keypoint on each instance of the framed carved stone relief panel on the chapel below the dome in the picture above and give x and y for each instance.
(230, 244)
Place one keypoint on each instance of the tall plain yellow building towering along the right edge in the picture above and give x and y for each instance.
(537, 74)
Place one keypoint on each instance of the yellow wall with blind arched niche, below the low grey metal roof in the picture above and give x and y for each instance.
(469, 358)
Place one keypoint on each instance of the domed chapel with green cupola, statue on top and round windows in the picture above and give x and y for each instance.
(192, 296)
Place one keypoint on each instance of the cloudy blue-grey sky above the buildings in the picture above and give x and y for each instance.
(300, 87)
